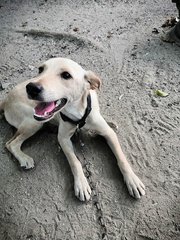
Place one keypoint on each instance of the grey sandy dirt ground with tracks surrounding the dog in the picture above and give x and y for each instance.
(115, 39)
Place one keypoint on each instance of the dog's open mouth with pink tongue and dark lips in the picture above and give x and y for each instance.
(46, 110)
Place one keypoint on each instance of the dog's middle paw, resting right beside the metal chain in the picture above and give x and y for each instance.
(82, 188)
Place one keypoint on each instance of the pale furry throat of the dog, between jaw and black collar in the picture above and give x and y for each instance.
(76, 109)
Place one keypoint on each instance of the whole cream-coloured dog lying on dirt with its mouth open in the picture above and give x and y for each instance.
(63, 86)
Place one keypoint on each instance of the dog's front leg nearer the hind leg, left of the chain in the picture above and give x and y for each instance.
(81, 186)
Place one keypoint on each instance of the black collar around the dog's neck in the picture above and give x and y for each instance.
(81, 122)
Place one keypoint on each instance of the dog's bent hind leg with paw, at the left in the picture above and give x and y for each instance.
(14, 144)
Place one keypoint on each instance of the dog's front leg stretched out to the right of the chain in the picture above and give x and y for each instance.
(135, 186)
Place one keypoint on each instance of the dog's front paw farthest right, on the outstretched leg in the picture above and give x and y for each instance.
(135, 187)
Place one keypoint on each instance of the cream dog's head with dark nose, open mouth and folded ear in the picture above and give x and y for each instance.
(60, 81)
